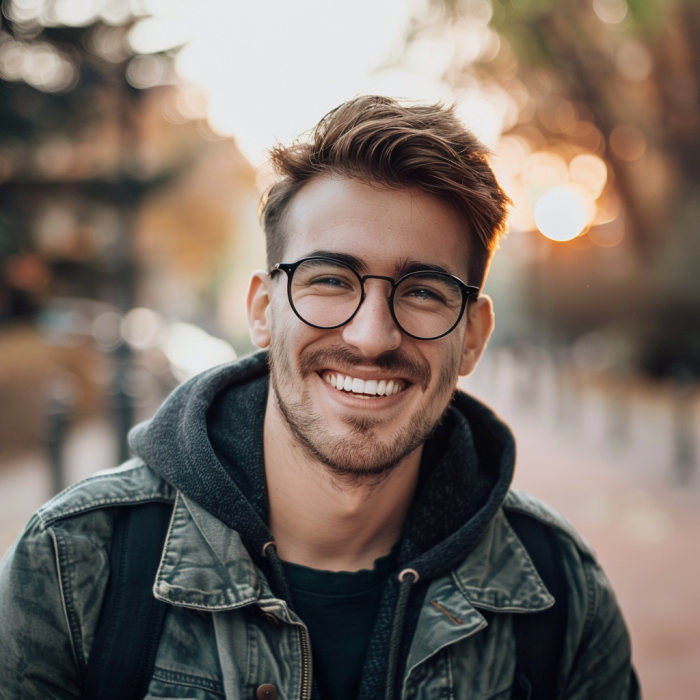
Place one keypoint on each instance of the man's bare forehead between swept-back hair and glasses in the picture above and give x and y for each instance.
(384, 228)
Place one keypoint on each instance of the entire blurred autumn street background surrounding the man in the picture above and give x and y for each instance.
(132, 159)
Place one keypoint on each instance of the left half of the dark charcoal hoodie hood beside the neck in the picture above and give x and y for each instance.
(176, 445)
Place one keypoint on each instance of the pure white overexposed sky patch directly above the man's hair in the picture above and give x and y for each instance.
(272, 68)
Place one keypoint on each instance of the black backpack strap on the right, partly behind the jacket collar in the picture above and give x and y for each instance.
(539, 637)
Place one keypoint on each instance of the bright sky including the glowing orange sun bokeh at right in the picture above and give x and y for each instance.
(272, 68)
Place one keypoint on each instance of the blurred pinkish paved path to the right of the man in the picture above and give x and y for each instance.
(644, 530)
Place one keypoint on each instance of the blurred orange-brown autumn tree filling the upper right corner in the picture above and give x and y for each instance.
(618, 79)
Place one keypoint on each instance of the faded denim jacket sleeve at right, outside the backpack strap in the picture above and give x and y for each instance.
(599, 650)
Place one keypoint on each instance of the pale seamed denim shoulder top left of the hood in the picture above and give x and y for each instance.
(129, 484)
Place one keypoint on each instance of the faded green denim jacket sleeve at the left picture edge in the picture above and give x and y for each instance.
(37, 658)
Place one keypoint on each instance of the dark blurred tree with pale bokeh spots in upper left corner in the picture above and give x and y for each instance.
(71, 168)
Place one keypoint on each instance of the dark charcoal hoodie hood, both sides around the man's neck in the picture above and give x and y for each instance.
(207, 441)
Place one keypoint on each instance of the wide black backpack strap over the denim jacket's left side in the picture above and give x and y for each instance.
(131, 619)
